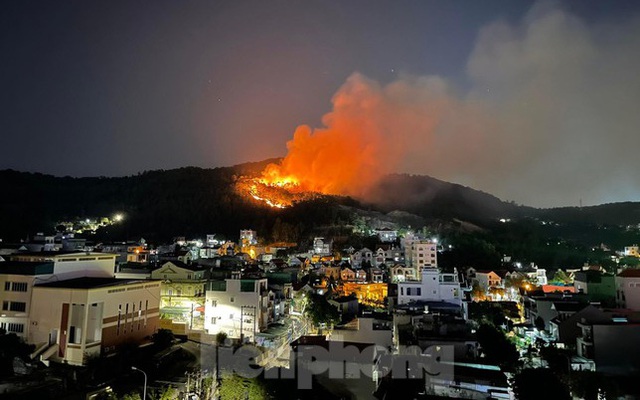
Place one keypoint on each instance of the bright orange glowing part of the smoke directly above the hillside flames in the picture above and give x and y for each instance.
(349, 154)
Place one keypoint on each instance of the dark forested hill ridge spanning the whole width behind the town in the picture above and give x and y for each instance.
(193, 201)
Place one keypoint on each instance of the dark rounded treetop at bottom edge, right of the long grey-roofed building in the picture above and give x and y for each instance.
(540, 383)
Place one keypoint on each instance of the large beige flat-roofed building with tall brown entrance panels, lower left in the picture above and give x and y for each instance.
(83, 317)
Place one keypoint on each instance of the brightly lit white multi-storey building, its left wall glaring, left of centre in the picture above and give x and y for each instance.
(238, 307)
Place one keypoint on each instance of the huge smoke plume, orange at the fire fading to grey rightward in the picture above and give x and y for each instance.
(550, 117)
